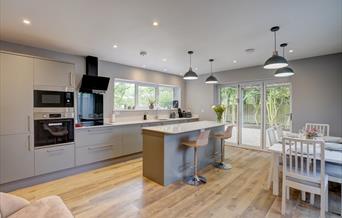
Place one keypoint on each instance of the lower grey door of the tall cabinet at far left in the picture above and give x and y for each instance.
(16, 157)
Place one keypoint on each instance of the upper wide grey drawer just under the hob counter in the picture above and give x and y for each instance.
(97, 136)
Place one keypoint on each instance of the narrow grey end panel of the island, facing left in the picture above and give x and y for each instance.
(153, 156)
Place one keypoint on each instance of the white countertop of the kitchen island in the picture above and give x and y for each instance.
(183, 127)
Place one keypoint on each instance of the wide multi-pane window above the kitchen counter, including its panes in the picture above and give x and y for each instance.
(130, 95)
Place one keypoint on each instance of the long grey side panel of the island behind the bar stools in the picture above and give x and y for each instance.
(178, 159)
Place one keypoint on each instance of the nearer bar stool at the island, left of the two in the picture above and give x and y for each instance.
(202, 140)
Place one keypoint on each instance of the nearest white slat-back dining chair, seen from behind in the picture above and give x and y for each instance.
(300, 170)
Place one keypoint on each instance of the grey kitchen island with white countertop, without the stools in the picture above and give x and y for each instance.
(166, 160)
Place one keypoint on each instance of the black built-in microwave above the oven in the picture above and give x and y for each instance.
(55, 99)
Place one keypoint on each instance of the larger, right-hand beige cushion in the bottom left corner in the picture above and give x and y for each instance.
(51, 207)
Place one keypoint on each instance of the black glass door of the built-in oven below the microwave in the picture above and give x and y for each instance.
(53, 131)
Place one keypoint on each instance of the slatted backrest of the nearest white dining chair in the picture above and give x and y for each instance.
(301, 158)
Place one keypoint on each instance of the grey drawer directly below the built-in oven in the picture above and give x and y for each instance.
(54, 158)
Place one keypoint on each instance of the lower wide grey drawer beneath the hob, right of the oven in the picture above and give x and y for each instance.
(94, 153)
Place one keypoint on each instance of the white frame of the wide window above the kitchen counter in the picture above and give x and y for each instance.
(176, 94)
